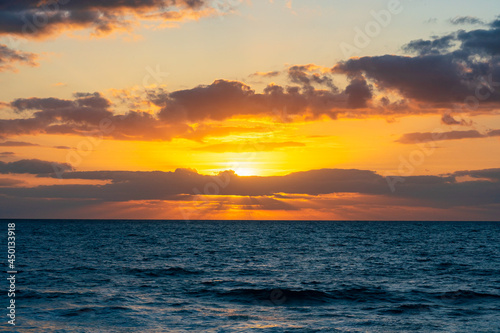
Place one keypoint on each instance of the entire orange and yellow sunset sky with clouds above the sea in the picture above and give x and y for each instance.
(240, 109)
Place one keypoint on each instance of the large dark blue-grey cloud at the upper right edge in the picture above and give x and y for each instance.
(447, 70)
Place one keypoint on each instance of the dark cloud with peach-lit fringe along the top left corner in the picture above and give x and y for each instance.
(32, 18)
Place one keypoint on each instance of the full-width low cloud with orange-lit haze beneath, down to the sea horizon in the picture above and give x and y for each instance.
(324, 193)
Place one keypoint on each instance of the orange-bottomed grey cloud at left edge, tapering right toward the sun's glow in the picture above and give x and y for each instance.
(87, 115)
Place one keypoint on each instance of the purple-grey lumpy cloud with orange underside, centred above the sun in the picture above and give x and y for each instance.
(223, 99)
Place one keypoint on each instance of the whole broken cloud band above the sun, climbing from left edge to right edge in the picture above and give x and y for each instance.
(447, 72)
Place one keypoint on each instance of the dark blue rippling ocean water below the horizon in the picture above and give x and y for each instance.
(261, 276)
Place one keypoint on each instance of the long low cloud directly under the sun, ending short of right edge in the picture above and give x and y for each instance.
(163, 185)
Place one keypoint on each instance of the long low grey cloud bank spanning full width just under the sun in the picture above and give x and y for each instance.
(424, 191)
